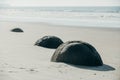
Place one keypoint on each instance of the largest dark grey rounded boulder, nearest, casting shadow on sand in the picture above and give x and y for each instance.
(77, 53)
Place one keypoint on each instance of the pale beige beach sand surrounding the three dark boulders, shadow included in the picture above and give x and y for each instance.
(21, 60)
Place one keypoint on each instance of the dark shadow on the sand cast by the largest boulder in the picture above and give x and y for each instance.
(104, 67)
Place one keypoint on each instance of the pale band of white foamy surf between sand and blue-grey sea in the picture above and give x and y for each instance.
(88, 21)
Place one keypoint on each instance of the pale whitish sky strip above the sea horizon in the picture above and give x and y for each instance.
(61, 2)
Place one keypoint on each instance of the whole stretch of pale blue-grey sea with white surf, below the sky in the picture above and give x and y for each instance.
(108, 16)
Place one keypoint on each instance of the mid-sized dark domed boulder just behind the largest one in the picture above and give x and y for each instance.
(49, 42)
